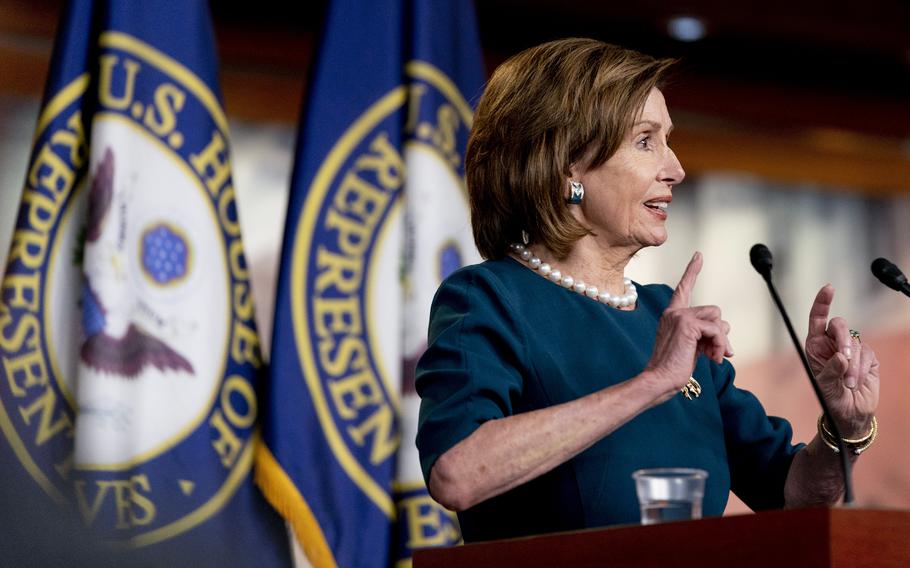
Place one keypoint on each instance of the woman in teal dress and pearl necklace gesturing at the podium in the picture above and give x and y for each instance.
(550, 376)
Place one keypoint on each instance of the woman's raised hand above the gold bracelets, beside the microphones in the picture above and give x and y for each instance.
(846, 368)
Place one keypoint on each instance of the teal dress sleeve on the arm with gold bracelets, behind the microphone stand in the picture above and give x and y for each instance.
(759, 447)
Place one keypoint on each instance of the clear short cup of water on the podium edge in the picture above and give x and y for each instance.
(669, 493)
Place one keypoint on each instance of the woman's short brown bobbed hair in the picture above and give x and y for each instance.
(551, 106)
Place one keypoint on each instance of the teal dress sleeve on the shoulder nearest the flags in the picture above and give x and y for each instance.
(472, 370)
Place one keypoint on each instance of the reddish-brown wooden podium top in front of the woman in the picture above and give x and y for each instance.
(804, 538)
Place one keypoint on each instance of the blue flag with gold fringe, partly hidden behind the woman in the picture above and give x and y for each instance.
(378, 215)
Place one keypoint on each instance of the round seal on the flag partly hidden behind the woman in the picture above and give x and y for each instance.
(385, 219)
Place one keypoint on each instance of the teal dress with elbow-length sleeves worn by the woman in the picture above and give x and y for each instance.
(503, 340)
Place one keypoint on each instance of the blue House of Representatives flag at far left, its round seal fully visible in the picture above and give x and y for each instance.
(128, 353)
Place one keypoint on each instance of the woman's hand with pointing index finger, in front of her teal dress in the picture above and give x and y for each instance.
(684, 332)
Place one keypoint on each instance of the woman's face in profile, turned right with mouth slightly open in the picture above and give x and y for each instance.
(627, 197)
